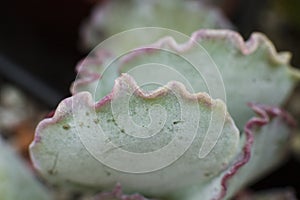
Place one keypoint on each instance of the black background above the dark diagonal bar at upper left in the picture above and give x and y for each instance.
(42, 38)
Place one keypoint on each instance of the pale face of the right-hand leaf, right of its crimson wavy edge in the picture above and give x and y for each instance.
(270, 145)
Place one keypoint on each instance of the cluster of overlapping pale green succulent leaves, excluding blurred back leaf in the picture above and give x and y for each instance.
(172, 141)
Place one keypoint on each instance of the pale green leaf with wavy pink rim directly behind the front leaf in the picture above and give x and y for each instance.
(251, 71)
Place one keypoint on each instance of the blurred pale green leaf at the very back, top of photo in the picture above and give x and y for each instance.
(155, 13)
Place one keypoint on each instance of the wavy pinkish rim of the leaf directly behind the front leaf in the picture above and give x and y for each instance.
(248, 47)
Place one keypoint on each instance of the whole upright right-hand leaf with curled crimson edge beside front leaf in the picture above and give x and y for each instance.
(265, 136)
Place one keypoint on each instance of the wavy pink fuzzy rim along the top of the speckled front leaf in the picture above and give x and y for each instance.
(65, 106)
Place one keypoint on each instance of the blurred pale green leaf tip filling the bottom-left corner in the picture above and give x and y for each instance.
(16, 181)
